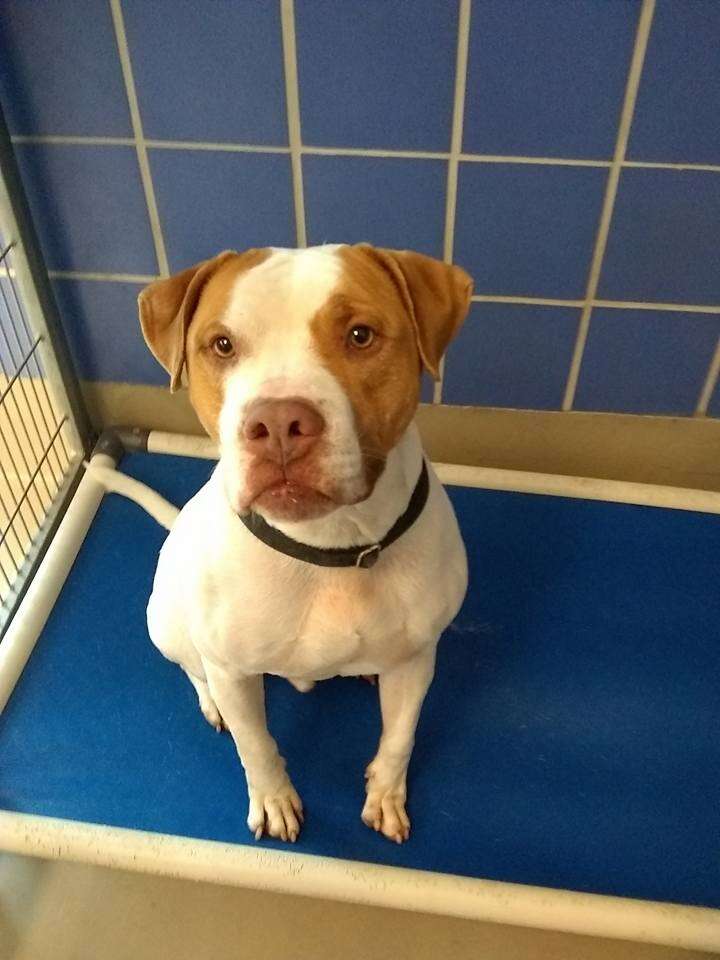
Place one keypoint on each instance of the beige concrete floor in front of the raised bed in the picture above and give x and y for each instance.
(62, 911)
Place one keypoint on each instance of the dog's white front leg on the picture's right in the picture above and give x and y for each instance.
(402, 691)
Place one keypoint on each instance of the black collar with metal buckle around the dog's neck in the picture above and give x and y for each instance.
(365, 556)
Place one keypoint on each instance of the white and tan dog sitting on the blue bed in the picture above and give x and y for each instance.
(306, 364)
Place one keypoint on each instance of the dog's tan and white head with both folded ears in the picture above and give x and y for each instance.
(305, 364)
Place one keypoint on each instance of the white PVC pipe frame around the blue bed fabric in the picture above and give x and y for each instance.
(290, 872)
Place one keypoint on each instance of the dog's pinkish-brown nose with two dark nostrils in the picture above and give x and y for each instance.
(282, 430)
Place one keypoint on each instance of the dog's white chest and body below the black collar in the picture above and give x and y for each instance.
(223, 594)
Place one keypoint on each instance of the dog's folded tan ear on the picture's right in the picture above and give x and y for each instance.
(437, 297)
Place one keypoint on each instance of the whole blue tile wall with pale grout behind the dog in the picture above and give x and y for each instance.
(544, 91)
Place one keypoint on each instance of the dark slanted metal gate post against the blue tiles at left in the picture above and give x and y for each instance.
(42, 289)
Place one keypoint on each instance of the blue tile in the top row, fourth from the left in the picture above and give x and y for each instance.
(547, 79)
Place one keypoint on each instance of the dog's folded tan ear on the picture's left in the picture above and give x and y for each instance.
(166, 310)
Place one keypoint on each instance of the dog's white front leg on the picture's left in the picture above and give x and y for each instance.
(275, 807)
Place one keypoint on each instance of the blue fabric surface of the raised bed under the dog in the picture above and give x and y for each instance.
(570, 738)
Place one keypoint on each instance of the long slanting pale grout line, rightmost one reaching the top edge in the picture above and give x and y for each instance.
(628, 108)
